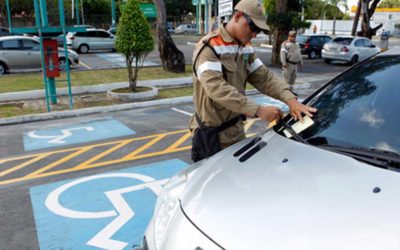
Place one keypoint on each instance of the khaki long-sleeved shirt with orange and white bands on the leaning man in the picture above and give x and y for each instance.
(218, 99)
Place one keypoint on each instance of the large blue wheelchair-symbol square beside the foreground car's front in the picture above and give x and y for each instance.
(109, 210)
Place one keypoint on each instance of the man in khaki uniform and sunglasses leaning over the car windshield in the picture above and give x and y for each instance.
(223, 62)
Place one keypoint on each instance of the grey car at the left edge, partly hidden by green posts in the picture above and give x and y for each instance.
(22, 52)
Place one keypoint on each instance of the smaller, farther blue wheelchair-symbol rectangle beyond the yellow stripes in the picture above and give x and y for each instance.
(73, 134)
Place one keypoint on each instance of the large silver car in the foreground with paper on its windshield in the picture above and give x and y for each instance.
(330, 183)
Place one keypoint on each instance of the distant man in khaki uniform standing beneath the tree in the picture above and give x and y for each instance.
(290, 57)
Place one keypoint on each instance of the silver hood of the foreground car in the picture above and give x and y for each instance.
(294, 196)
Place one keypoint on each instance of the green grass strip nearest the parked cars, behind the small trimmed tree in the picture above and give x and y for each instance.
(33, 81)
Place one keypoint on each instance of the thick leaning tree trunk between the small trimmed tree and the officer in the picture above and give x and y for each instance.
(172, 58)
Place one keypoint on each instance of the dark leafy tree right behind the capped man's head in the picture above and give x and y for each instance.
(283, 15)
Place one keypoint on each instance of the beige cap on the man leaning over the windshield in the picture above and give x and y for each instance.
(254, 10)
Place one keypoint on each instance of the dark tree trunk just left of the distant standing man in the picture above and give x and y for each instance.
(279, 33)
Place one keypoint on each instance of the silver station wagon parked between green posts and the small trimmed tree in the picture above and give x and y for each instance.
(92, 39)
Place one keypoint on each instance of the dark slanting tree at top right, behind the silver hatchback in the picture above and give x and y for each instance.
(366, 9)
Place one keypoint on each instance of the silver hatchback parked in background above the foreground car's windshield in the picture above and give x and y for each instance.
(349, 49)
